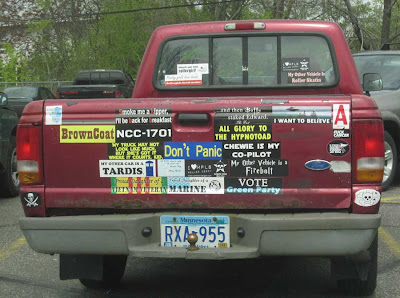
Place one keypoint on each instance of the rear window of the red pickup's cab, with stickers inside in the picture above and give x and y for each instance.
(246, 61)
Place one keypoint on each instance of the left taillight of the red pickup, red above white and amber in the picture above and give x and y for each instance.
(29, 154)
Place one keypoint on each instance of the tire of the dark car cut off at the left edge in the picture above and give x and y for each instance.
(10, 182)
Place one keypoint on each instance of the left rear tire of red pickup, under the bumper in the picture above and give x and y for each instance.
(113, 271)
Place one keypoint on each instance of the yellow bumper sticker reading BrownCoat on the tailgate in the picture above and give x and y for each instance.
(87, 134)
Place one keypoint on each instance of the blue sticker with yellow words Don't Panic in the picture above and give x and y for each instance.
(192, 150)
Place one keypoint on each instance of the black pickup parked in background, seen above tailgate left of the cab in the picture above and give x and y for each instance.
(98, 83)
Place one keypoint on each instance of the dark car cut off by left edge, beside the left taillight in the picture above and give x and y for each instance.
(9, 182)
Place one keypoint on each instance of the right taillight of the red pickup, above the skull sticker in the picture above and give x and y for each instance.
(368, 151)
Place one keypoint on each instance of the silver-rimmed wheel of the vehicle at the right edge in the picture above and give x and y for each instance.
(391, 160)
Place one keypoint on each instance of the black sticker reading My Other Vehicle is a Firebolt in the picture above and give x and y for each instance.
(259, 168)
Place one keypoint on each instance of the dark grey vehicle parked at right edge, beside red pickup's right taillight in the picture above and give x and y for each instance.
(387, 64)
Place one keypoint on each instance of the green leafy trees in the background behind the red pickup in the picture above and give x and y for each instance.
(65, 45)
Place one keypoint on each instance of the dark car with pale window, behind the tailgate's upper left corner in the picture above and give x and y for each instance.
(19, 97)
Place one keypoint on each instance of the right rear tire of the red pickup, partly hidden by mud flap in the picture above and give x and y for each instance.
(358, 287)
